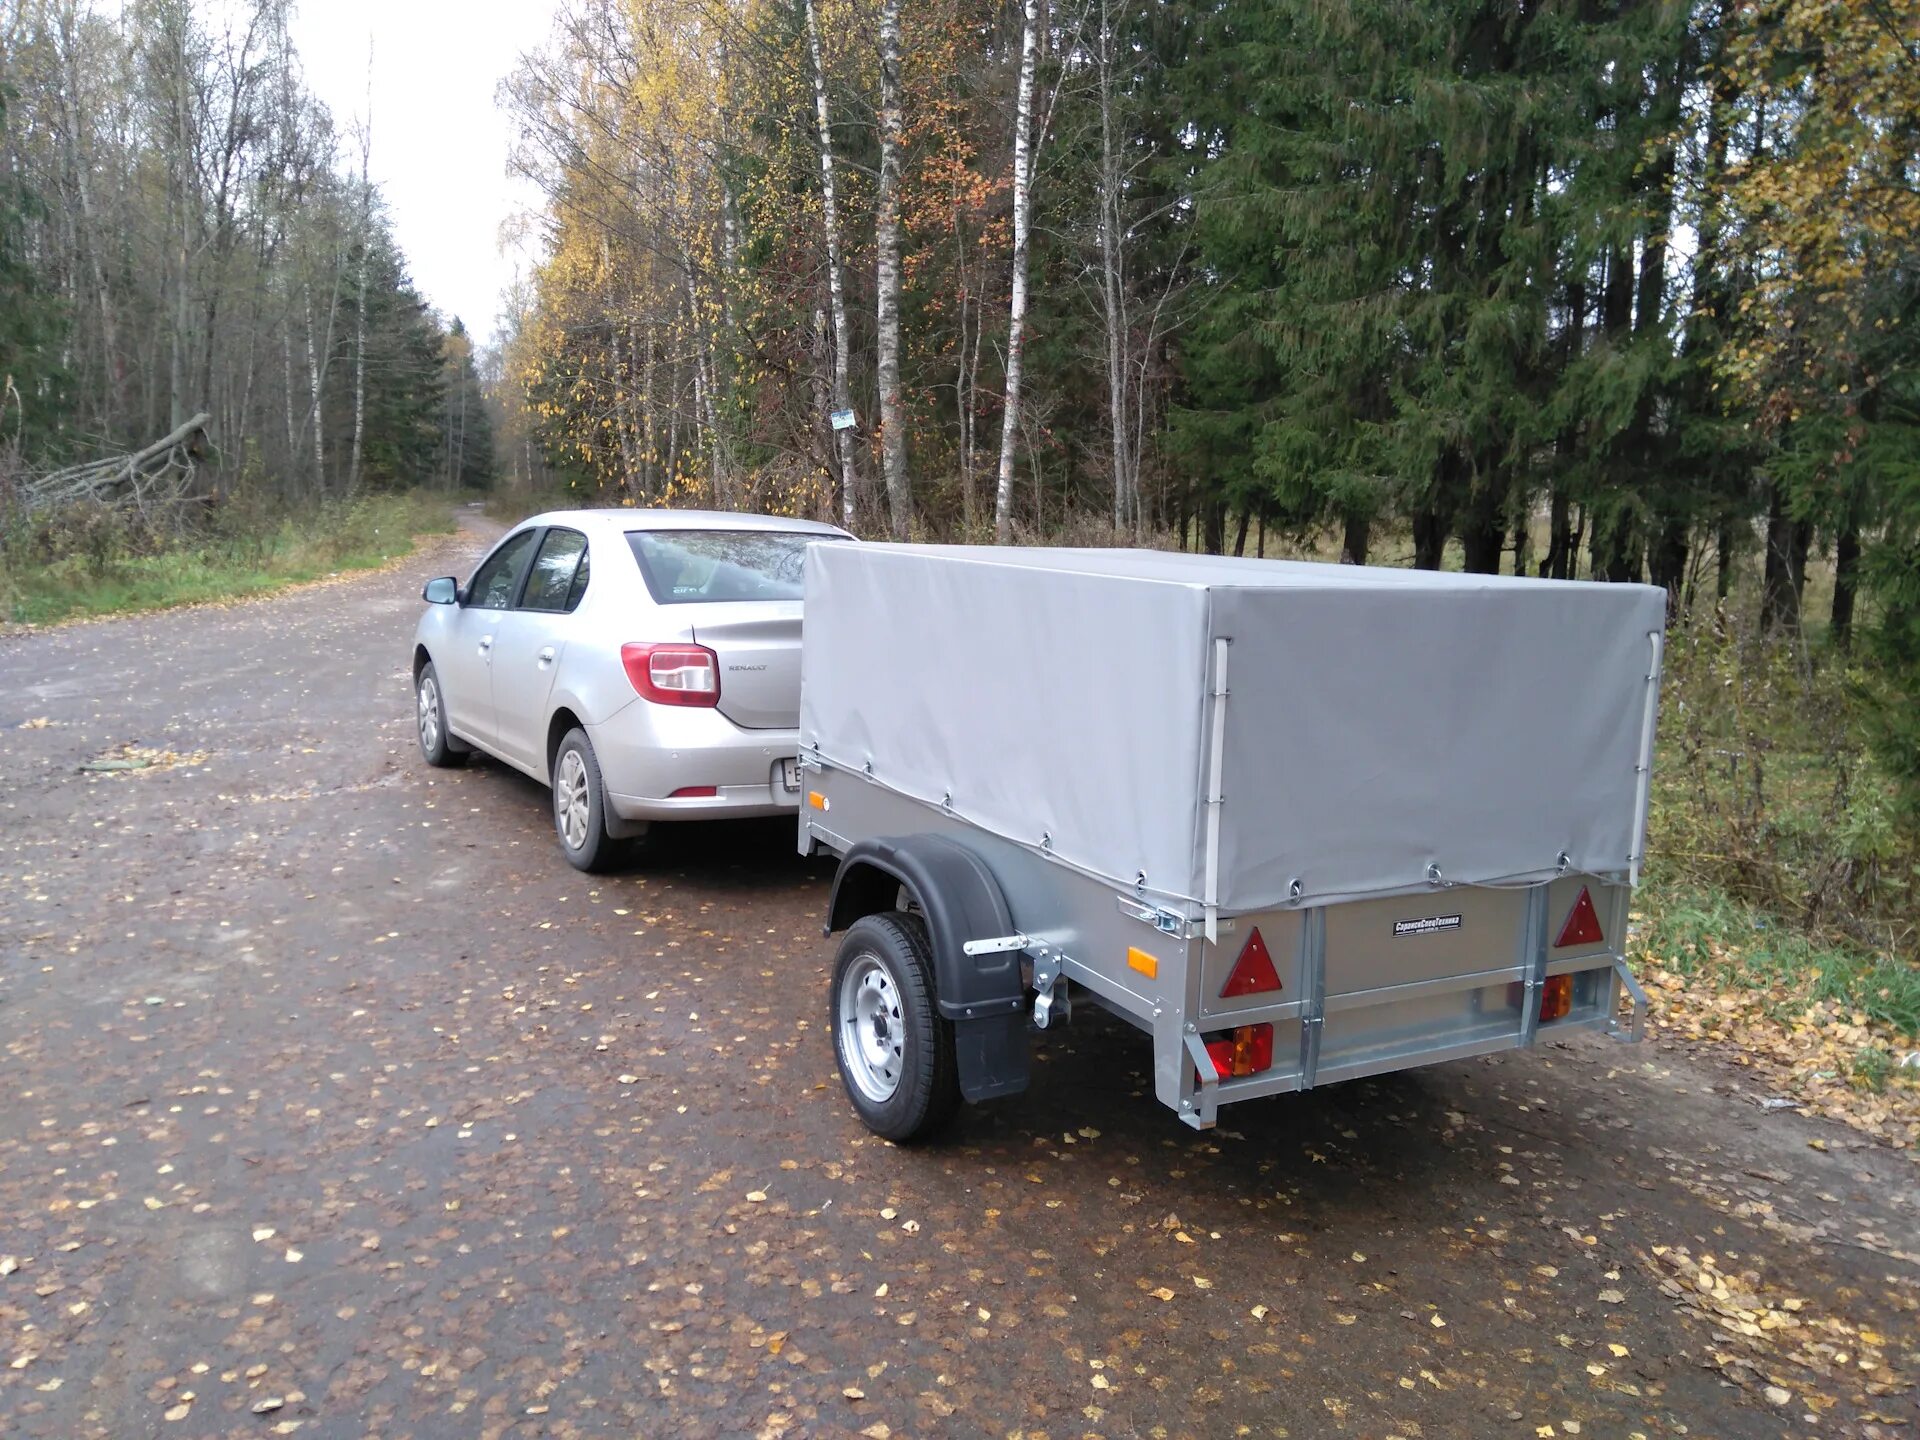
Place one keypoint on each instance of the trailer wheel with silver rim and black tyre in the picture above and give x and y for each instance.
(896, 1051)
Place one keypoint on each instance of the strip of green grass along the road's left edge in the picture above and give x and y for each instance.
(51, 577)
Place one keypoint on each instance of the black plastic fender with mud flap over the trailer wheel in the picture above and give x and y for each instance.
(982, 996)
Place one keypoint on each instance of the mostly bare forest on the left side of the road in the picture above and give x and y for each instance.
(189, 235)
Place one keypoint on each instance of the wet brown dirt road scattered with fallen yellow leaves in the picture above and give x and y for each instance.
(335, 1101)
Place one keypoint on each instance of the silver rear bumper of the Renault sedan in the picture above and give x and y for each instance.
(650, 752)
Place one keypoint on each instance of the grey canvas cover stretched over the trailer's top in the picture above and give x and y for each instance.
(1381, 729)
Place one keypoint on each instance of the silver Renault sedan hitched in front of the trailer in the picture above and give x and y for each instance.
(642, 663)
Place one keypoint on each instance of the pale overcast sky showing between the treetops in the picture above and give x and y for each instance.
(439, 143)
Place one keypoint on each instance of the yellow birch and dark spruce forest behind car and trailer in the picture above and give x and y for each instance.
(1614, 291)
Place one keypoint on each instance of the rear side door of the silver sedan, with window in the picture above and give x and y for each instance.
(531, 642)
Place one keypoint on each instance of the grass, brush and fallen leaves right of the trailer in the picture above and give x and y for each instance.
(1781, 911)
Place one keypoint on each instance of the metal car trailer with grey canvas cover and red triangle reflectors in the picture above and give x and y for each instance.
(1297, 823)
